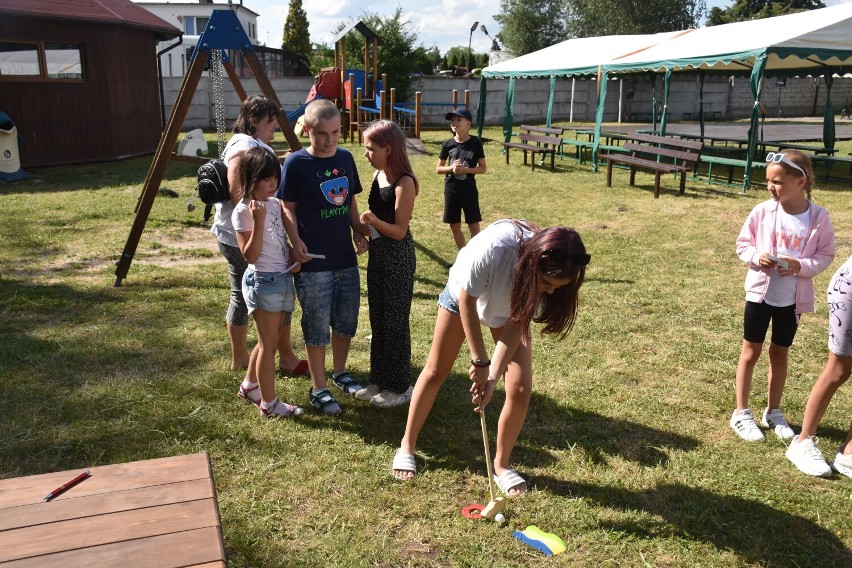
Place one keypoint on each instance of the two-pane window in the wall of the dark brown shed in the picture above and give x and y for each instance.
(41, 59)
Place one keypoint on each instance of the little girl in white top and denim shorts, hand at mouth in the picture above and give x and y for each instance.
(268, 283)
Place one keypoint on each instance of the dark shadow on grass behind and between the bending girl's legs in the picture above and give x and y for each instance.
(452, 437)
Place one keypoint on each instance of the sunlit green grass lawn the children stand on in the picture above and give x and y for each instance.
(627, 447)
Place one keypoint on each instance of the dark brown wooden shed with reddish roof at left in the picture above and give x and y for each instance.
(79, 78)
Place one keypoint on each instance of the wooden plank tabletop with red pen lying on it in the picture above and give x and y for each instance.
(154, 513)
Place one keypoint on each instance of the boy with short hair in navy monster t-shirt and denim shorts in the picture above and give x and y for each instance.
(318, 188)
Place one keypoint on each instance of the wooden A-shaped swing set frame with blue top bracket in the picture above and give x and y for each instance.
(223, 32)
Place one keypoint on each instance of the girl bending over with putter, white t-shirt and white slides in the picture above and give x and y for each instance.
(508, 276)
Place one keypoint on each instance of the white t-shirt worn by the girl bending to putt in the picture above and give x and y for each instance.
(484, 269)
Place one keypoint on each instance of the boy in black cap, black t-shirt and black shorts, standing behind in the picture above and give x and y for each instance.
(466, 159)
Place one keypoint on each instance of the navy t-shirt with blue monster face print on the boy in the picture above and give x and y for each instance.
(322, 189)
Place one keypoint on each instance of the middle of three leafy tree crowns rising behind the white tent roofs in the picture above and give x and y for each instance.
(588, 18)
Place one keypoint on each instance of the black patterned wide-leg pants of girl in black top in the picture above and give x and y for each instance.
(390, 288)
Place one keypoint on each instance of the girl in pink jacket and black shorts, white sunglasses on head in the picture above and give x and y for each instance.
(785, 241)
